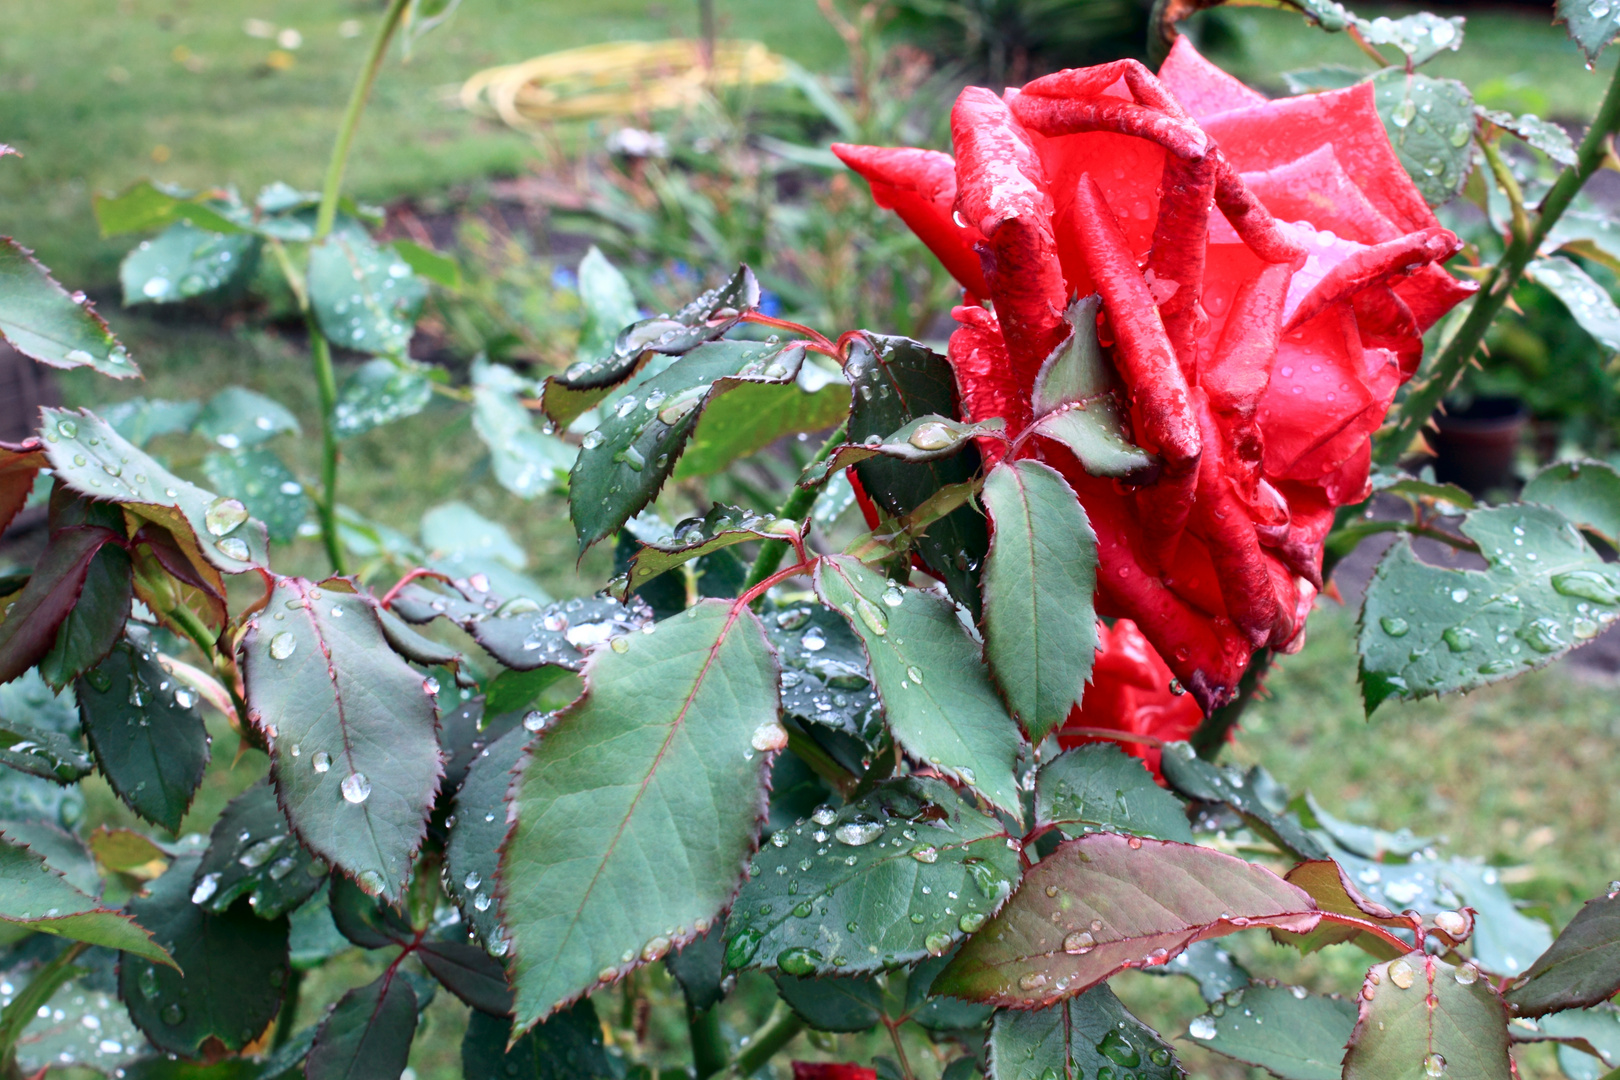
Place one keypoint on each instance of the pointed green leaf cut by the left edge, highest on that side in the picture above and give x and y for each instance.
(43, 321)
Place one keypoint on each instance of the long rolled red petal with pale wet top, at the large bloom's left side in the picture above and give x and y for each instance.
(1002, 190)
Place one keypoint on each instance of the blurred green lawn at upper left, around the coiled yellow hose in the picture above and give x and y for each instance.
(95, 95)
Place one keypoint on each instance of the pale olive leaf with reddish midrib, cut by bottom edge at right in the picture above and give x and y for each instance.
(1423, 1018)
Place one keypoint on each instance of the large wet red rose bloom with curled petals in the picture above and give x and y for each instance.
(1266, 273)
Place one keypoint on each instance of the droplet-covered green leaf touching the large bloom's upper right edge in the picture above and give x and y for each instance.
(1431, 125)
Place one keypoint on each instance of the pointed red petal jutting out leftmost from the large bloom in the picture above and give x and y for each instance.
(921, 189)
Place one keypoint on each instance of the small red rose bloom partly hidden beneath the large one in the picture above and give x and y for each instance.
(1132, 691)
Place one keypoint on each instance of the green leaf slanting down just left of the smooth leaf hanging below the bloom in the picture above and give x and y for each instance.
(936, 691)
